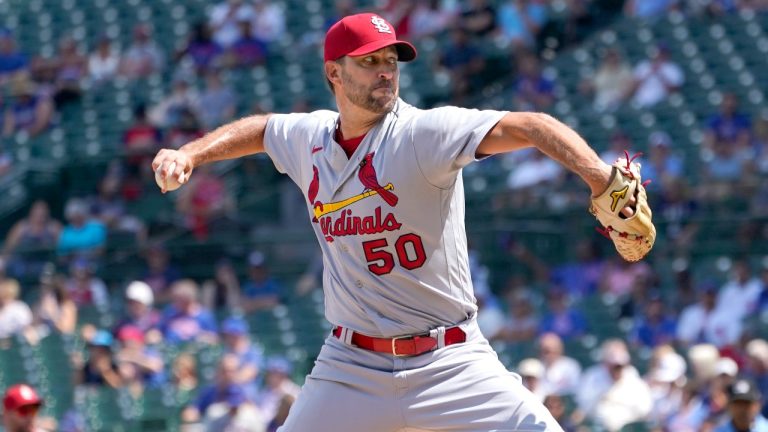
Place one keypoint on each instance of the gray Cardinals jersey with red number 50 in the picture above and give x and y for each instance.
(390, 219)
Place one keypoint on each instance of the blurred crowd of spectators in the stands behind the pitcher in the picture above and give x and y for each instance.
(700, 346)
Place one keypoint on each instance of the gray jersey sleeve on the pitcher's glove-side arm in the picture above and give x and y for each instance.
(445, 140)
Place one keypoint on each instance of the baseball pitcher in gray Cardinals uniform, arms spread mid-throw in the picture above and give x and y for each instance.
(386, 201)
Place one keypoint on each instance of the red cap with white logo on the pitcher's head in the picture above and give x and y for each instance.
(364, 33)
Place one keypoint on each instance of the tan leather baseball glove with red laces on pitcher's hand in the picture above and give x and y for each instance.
(633, 236)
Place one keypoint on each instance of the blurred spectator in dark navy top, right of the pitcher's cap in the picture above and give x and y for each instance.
(463, 61)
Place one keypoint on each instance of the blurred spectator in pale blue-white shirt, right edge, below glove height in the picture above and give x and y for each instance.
(741, 293)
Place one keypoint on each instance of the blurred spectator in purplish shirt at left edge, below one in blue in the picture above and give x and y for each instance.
(30, 111)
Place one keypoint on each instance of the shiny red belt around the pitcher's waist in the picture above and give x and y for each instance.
(403, 345)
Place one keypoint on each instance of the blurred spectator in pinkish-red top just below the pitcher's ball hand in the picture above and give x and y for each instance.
(205, 203)
